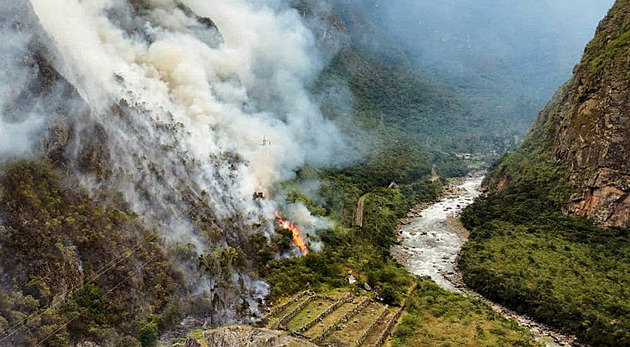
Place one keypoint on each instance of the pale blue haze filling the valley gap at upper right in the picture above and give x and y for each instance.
(501, 59)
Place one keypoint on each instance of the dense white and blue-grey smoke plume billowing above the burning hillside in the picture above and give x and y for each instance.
(241, 89)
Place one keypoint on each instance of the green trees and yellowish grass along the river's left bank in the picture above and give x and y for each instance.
(433, 316)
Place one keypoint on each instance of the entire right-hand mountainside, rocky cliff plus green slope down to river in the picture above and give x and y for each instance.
(525, 251)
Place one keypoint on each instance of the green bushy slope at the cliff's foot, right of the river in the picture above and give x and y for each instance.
(526, 254)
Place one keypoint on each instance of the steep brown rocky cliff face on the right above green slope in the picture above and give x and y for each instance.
(586, 127)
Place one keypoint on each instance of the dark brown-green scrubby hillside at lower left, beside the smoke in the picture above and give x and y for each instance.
(74, 269)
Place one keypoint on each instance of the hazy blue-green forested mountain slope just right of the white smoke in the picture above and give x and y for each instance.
(393, 100)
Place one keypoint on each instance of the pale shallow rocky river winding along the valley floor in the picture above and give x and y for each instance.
(430, 238)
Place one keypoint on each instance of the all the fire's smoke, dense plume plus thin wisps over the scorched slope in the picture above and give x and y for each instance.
(193, 106)
